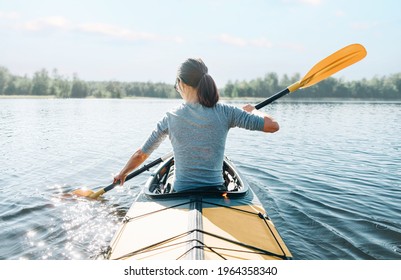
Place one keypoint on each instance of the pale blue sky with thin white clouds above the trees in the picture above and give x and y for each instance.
(238, 40)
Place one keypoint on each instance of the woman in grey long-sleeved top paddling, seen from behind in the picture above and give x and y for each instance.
(198, 130)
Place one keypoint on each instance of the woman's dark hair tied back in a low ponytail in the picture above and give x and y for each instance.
(193, 72)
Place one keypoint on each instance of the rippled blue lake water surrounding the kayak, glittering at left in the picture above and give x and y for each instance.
(330, 178)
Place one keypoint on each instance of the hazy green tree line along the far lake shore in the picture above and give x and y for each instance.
(44, 83)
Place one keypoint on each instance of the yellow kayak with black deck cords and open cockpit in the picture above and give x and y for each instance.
(217, 224)
